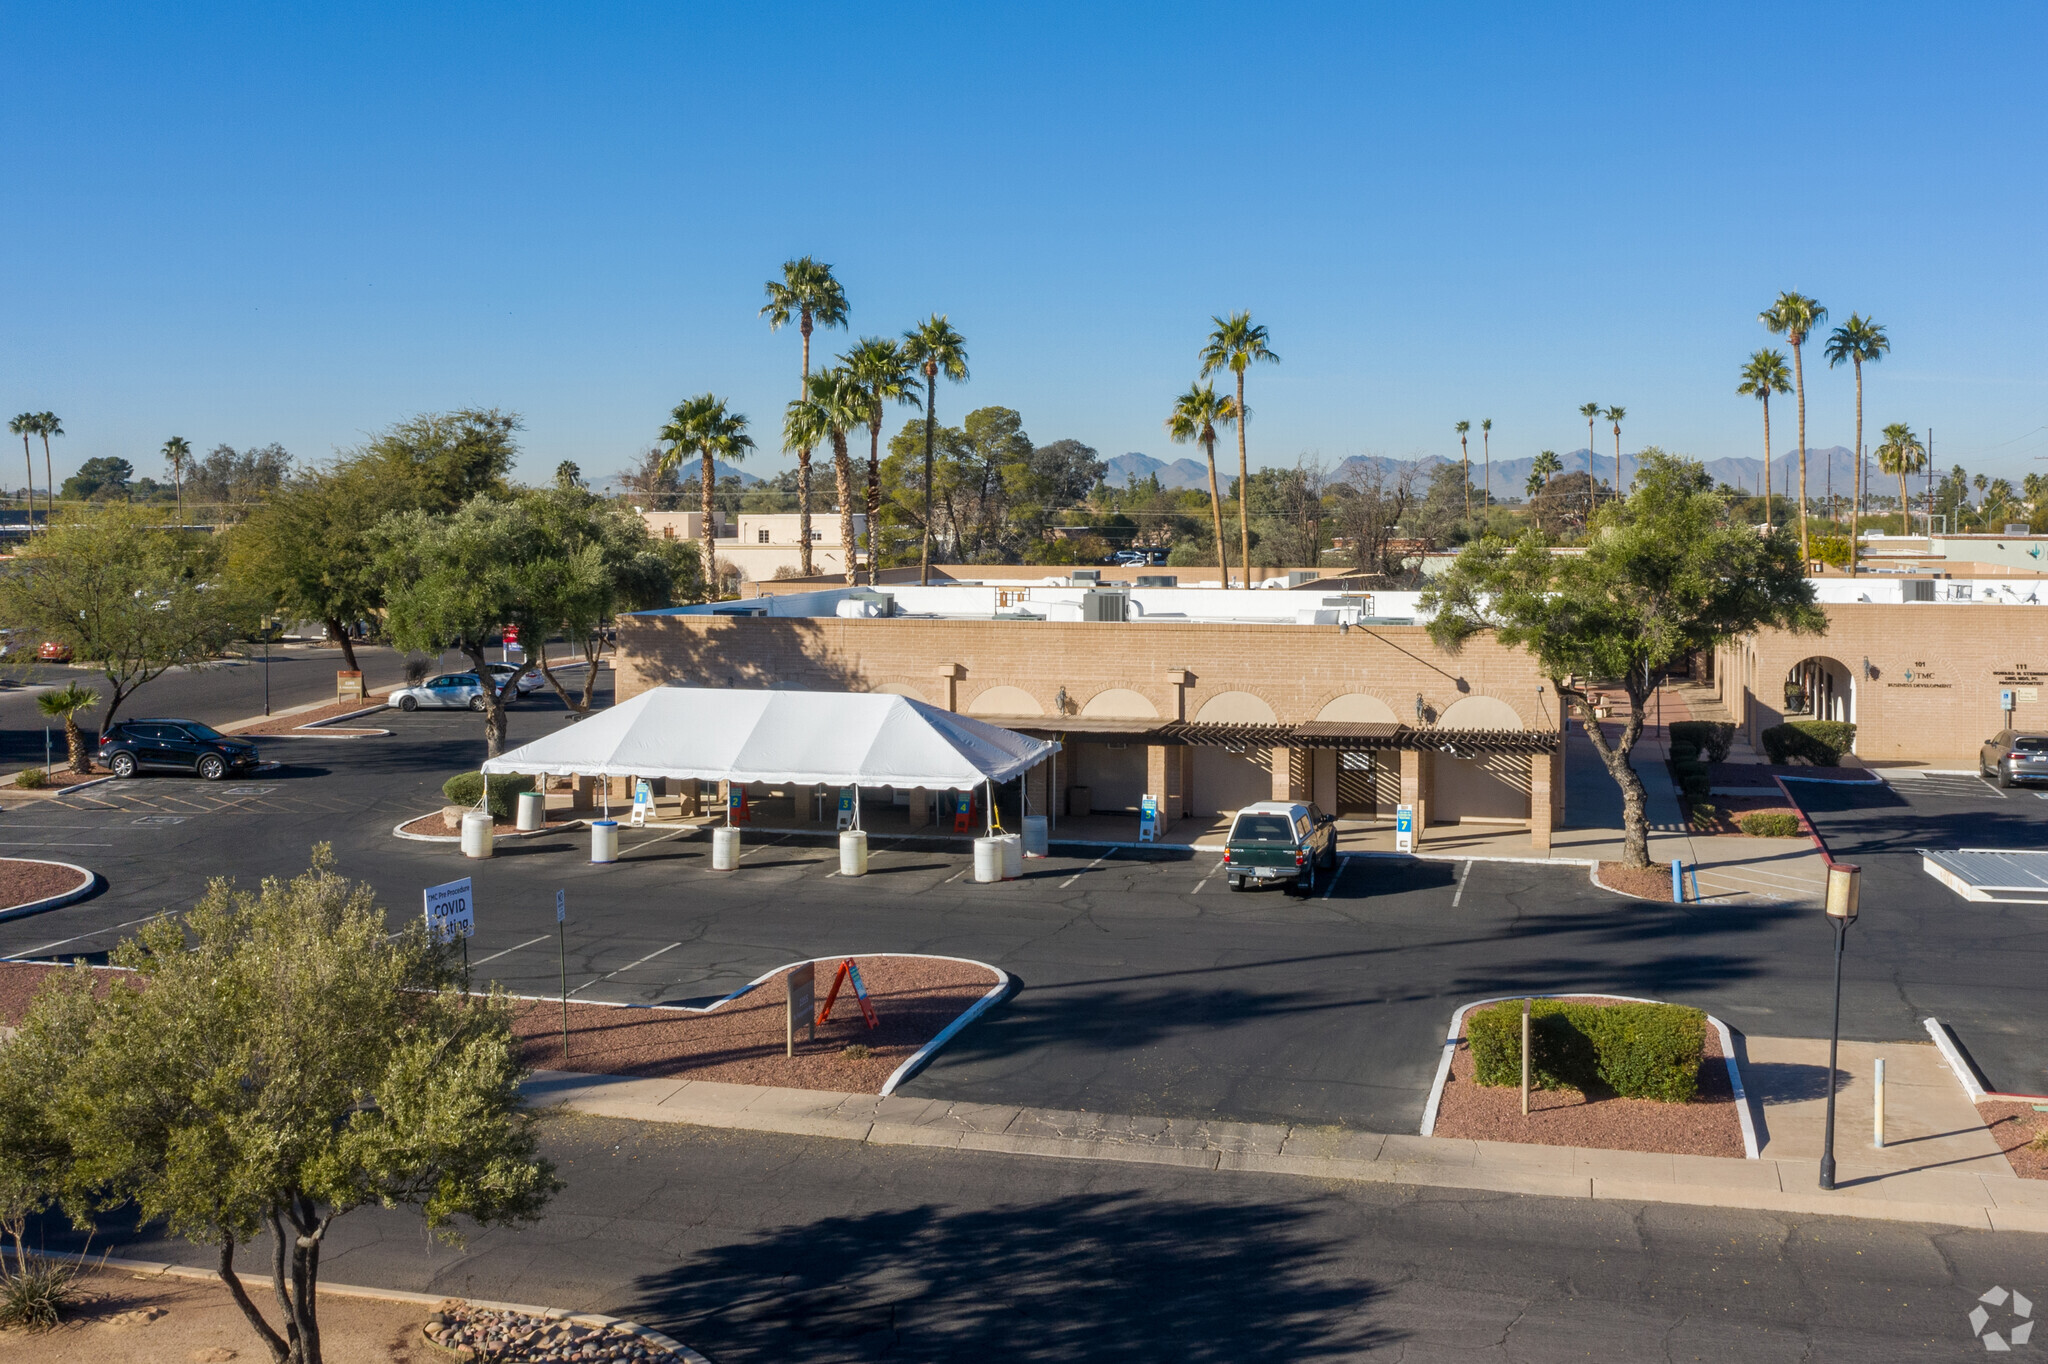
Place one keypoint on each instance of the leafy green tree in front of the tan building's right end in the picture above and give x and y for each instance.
(1666, 572)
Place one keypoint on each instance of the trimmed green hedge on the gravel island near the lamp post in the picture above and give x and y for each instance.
(1633, 1050)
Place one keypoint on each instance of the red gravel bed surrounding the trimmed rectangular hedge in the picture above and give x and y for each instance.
(1709, 1125)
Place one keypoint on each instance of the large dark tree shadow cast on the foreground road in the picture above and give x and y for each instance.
(1091, 1277)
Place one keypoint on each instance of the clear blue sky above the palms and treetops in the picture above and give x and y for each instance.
(306, 222)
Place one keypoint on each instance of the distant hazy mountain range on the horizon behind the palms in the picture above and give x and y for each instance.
(1510, 476)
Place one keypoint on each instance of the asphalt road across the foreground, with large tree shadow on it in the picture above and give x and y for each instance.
(751, 1246)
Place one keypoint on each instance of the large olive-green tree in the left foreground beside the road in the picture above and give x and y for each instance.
(273, 1062)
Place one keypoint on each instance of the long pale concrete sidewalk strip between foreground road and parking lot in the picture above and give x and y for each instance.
(1971, 1195)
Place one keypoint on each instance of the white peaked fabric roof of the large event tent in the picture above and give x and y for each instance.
(785, 738)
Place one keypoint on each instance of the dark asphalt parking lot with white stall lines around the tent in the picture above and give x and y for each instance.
(1144, 982)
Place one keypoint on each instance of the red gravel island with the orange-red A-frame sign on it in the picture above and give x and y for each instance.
(742, 1041)
